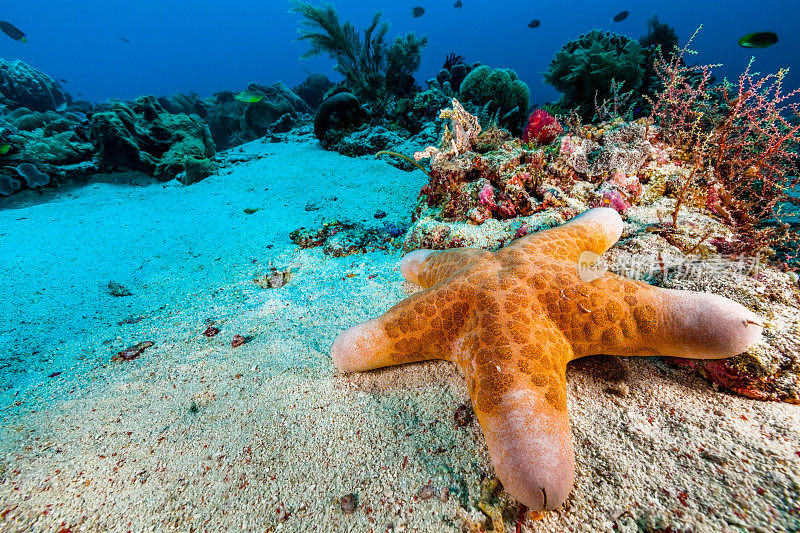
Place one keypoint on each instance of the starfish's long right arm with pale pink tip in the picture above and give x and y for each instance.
(619, 316)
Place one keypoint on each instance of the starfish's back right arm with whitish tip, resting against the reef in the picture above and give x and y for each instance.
(595, 230)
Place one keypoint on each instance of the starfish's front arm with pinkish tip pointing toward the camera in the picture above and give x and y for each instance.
(519, 398)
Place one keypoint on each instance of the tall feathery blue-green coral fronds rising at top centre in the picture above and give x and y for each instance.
(374, 69)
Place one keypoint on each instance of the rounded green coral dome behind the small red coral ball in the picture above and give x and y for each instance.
(501, 91)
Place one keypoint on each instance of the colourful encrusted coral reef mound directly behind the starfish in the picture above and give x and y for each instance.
(486, 189)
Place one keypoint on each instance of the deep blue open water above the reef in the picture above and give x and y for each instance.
(206, 46)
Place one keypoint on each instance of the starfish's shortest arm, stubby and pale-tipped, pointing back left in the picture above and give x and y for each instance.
(429, 267)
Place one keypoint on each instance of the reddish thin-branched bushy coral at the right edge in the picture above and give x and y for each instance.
(745, 133)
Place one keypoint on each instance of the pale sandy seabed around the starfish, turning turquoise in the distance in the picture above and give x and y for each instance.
(197, 435)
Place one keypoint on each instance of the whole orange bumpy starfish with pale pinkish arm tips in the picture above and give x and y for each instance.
(514, 318)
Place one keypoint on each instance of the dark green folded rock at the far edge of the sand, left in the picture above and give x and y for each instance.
(143, 136)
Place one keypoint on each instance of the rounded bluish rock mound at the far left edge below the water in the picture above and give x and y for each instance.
(24, 86)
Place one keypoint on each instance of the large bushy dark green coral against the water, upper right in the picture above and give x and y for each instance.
(585, 67)
